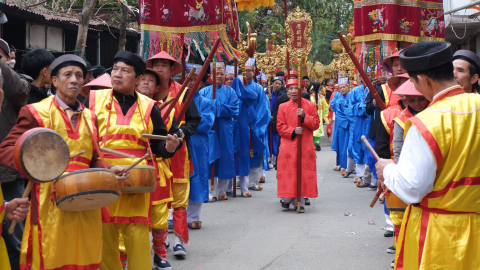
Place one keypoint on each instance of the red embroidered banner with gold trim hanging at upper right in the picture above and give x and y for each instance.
(399, 20)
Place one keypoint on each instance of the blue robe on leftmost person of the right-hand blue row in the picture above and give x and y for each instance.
(341, 134)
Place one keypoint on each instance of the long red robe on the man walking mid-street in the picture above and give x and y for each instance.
(287, 120)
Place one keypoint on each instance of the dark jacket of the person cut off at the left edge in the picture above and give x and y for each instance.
(16, 89)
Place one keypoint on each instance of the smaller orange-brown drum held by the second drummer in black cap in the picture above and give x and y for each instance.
(142, 179)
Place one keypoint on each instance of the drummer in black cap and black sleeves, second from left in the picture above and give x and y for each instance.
(123, 116)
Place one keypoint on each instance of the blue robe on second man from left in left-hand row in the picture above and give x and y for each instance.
(225, 109)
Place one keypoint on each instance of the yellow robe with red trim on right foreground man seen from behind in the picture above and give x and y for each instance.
(443, 232)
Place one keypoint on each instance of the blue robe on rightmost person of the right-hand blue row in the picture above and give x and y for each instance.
(359, 121)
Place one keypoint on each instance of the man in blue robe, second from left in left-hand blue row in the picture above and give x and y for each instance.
(225, 109)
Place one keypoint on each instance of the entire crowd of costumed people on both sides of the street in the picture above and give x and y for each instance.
(223, 133)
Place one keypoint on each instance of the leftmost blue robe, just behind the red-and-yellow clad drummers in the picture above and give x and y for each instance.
(199, 149)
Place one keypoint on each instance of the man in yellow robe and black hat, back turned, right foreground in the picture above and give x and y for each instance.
(437, 172)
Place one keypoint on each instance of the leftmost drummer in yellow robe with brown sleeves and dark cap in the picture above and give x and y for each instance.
(52, 235)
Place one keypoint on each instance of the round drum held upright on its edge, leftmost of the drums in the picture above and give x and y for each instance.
(41, 155)
